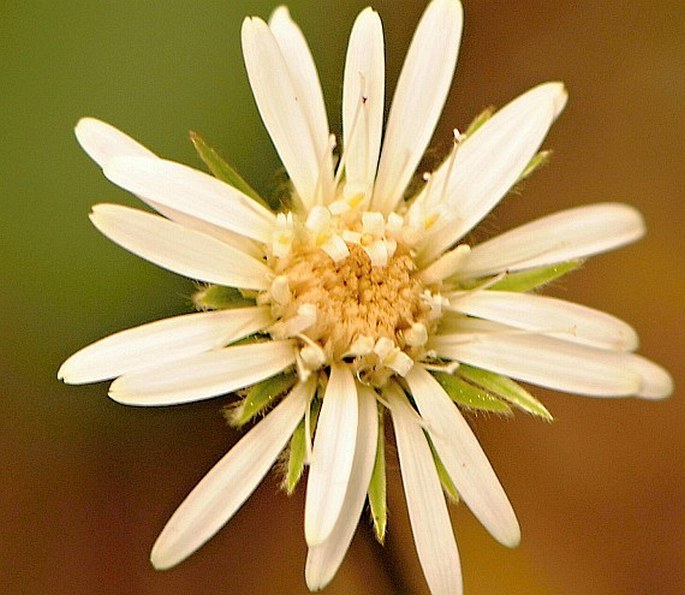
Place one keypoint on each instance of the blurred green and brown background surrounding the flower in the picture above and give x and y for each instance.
(86, 484)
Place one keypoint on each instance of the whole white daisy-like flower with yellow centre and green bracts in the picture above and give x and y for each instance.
(356, 300)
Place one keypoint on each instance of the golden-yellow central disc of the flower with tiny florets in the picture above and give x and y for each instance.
(376, 318)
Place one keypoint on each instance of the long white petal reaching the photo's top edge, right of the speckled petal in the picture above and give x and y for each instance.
(419, 98)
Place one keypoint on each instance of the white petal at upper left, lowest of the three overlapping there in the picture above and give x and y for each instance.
(184, 251)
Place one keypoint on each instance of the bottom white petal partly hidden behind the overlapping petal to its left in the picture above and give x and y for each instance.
(323, 560)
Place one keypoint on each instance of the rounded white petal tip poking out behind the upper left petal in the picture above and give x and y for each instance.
(103, 142)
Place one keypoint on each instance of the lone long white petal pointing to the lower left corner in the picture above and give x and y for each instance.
(230, 482)
